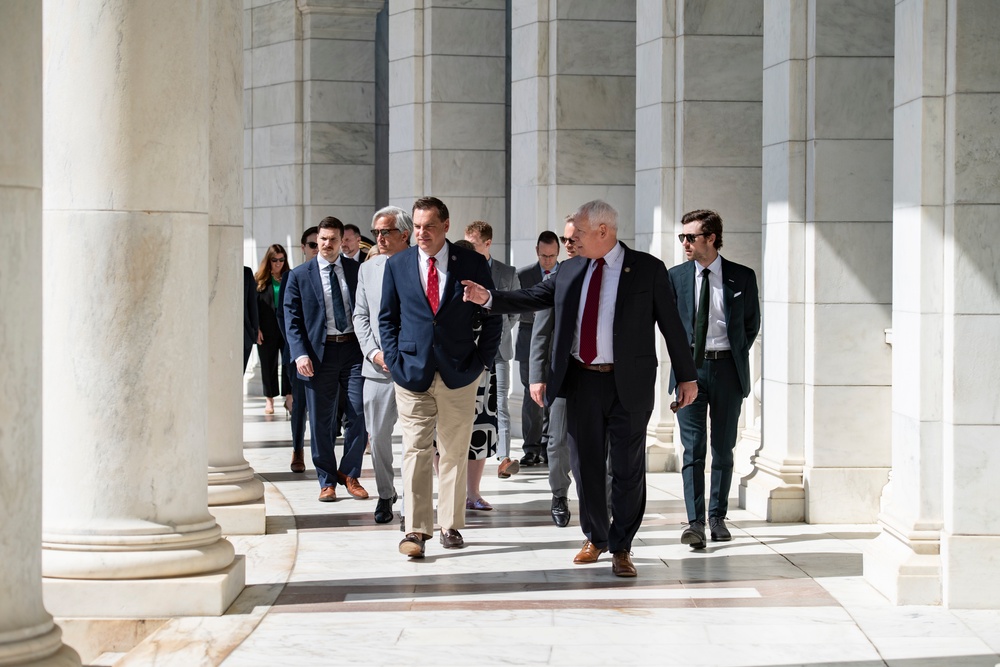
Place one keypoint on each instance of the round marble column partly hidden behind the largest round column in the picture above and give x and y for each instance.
(235, 496)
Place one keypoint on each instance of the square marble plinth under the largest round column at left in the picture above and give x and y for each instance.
(200, 595)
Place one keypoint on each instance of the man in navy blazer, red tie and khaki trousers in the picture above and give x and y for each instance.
(435, 356)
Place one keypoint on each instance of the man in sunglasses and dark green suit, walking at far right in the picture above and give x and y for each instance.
(729, 324)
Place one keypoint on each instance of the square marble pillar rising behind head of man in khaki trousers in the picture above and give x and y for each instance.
(446, 110)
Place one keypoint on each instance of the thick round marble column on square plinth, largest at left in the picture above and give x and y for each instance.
(126, 526)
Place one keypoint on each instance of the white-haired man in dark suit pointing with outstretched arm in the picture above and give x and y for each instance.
(608, 302)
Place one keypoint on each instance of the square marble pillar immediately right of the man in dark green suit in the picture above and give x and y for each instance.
(828, 259)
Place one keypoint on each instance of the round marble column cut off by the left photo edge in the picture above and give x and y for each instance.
(28, 635)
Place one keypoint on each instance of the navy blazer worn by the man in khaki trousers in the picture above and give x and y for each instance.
(417, 343)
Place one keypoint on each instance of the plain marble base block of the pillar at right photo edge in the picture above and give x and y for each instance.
(970, 566)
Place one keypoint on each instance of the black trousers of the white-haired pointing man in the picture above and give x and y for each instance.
(599, 430)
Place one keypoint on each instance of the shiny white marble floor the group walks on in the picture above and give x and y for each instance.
(327, 586)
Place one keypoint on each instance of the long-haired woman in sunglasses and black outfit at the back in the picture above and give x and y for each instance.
(270, 342)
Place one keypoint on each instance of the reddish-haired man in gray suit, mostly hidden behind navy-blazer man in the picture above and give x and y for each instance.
(480, 235)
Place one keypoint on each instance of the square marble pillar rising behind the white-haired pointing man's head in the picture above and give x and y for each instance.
(573, 114)
